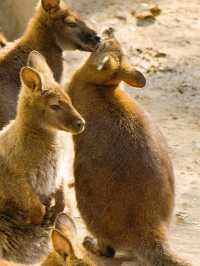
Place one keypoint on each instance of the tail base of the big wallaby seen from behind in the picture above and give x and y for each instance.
(160, 254)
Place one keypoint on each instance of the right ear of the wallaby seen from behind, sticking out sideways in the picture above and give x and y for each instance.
(130, 75)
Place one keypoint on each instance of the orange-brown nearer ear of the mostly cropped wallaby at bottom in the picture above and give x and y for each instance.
(61, 244)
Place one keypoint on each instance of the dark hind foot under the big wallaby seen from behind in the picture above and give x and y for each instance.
(99, 247)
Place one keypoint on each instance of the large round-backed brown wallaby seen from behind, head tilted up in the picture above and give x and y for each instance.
(124, 179)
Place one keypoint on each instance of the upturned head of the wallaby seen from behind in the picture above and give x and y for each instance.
(108, 65)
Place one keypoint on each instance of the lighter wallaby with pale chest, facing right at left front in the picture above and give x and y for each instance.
(30, 161)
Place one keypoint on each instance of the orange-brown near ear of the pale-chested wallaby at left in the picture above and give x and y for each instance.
(31, 78)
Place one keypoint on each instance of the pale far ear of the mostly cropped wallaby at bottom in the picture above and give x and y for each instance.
(66, 225)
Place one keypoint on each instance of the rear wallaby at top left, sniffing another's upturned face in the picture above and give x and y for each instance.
(53, 28)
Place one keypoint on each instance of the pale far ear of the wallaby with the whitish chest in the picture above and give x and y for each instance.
(37, 61)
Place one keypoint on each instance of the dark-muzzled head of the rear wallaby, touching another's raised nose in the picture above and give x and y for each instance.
(70, 31)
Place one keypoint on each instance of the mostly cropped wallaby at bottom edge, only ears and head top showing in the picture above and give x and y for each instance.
(63, 239)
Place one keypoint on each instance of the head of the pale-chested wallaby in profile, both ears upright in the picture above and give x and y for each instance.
(44, 101)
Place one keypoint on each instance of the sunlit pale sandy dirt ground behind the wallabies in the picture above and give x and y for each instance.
(167, 49)
